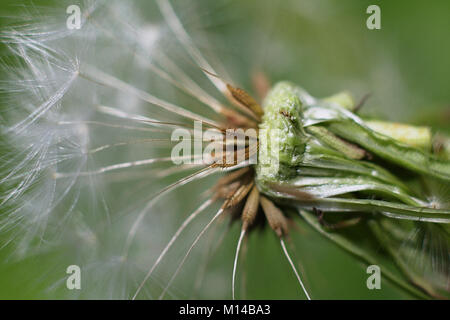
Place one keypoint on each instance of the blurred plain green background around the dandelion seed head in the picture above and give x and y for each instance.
(324, 46)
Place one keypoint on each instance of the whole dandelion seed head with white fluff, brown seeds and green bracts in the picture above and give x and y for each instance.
(117, 158)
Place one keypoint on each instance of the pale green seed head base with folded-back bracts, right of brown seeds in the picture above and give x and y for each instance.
(320, 147)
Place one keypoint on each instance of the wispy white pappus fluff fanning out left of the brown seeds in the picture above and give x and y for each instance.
(79, 173)
